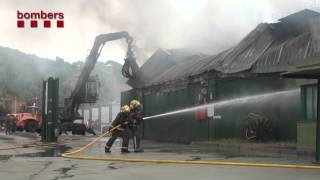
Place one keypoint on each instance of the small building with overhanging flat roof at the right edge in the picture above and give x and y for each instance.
(308, 126)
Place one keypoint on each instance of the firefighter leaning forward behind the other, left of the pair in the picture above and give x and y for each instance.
(123, 119)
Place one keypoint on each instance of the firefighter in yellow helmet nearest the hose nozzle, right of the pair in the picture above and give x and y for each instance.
(136, 118)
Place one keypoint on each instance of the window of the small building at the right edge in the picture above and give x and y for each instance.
(310, 102)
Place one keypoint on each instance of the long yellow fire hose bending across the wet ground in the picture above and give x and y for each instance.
(73, 155)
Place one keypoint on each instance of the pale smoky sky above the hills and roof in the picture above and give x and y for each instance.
(207, 26)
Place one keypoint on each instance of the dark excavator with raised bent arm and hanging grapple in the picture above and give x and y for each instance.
(86, 89)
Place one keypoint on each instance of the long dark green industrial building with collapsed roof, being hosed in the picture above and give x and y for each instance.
(175, 80)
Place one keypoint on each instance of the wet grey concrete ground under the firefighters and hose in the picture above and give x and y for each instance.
(33, 161)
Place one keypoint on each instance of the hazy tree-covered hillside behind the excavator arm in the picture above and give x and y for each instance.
(22, 75)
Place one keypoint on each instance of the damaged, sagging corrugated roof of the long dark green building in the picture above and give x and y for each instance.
(269, 48)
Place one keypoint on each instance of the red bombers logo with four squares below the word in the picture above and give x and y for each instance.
(40, 19)
